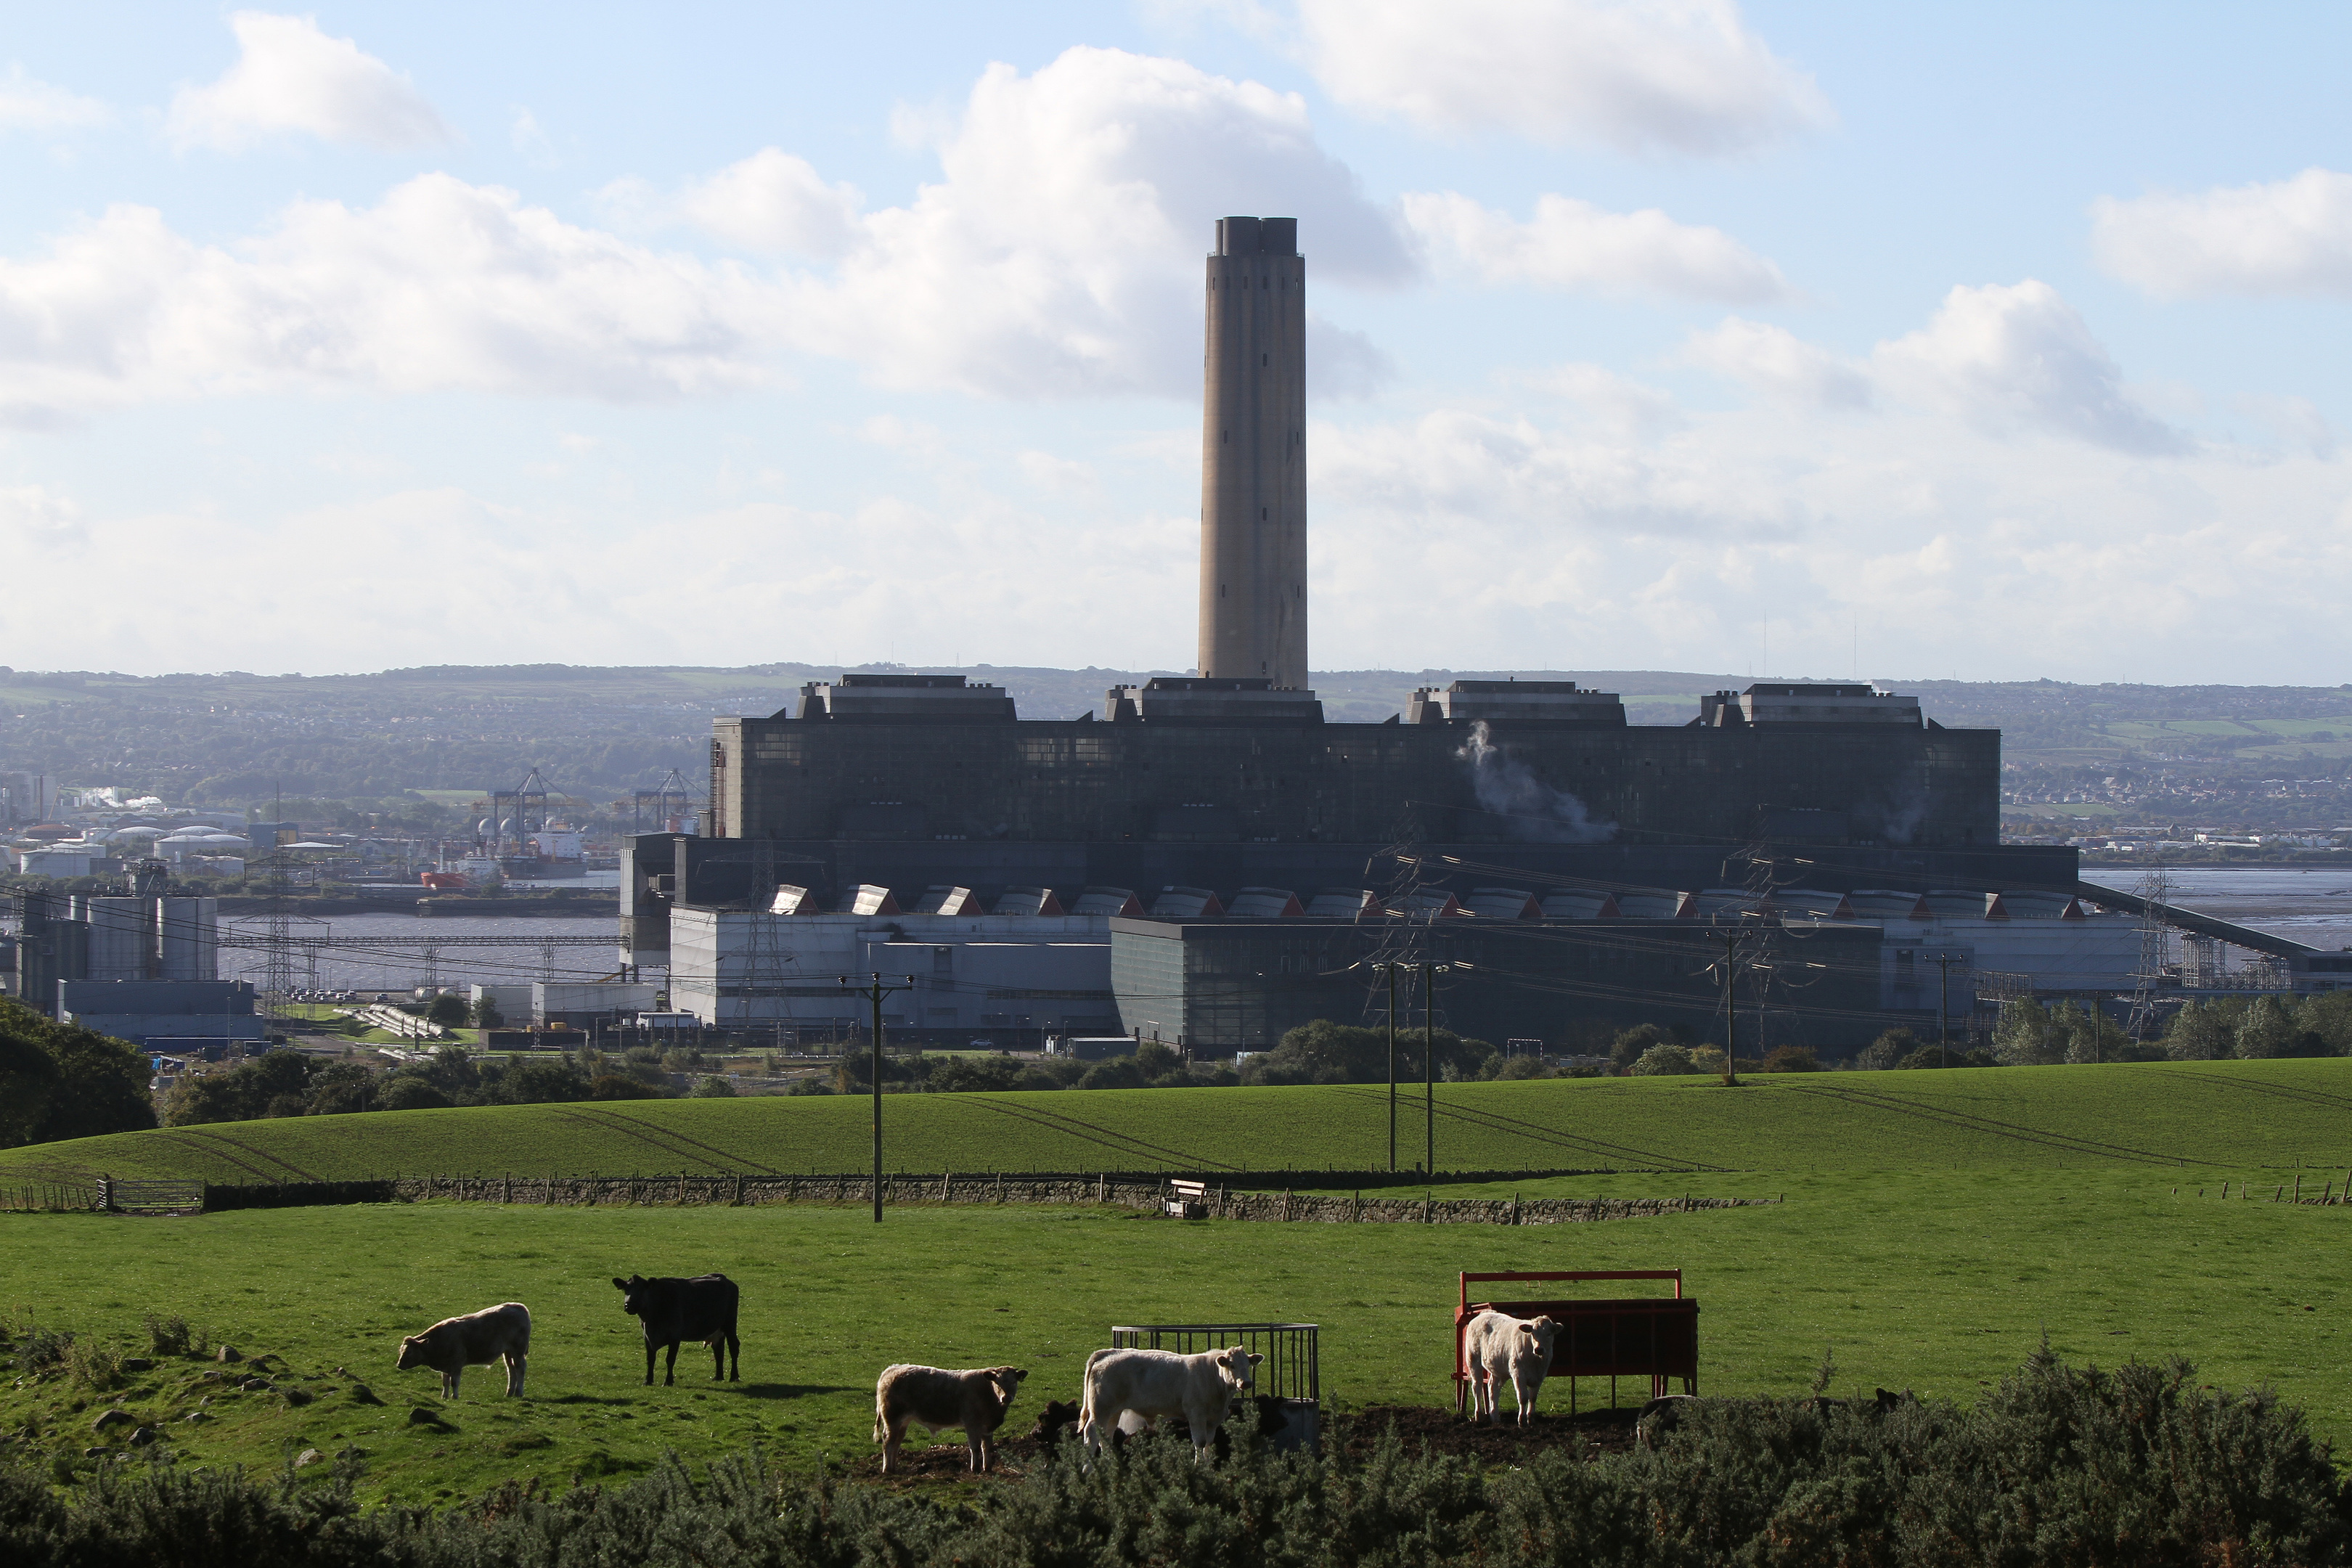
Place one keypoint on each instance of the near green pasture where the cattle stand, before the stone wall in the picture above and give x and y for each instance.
(1937, 1282)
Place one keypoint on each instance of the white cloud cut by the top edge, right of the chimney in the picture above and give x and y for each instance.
(1645, 76)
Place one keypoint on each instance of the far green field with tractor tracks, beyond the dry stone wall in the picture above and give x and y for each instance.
(2156, 1115)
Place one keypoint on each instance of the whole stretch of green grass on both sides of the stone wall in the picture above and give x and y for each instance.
(1935, 1228)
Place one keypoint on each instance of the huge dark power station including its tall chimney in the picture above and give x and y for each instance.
(1208, 859)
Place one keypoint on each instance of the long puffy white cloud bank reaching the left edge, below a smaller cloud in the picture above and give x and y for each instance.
(441, 286)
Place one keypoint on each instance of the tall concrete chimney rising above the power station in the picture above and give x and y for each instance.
(1252, 457)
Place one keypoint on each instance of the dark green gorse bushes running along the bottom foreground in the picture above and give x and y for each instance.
(2139, 1468)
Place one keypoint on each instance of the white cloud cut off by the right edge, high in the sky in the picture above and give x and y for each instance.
(2292, 236)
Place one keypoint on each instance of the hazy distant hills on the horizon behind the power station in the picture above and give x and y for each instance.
(241, 739)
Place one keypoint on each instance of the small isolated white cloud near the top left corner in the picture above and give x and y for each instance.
(295, 79)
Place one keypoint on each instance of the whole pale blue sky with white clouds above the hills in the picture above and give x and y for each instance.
(1986, 342)
